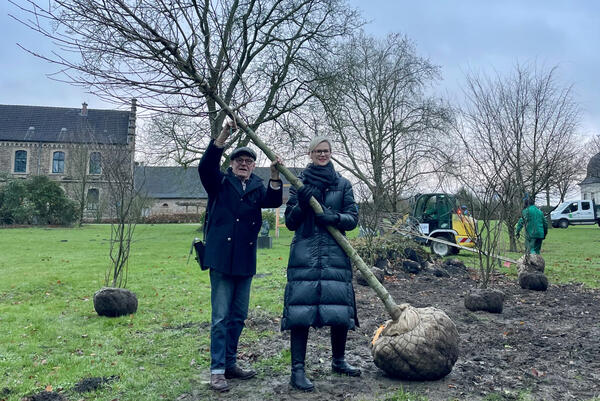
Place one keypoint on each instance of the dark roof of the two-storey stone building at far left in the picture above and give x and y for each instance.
(59, 124)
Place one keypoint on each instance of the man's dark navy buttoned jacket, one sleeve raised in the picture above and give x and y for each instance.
(234, 215)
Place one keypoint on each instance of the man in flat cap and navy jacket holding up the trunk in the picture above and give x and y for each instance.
(235, 199)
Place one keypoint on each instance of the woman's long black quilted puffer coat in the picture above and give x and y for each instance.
(319, 291)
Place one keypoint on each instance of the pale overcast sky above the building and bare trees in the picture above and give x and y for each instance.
(459, 36)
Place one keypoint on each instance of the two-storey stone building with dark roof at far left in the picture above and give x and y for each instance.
(69, 145)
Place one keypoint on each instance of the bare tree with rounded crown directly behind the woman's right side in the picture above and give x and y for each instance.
(374, 99)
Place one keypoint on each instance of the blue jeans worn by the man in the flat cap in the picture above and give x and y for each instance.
(229, 297)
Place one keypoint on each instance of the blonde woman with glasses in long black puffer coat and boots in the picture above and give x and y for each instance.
(319, 291)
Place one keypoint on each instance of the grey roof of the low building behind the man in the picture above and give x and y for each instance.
(184, 183)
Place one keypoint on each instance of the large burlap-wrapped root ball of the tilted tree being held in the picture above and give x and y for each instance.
(421, 345)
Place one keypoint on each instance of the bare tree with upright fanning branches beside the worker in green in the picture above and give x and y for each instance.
(525, 127)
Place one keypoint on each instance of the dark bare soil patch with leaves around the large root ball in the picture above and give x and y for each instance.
(544, 344)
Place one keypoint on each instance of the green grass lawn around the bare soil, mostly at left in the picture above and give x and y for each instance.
(51, 337)
